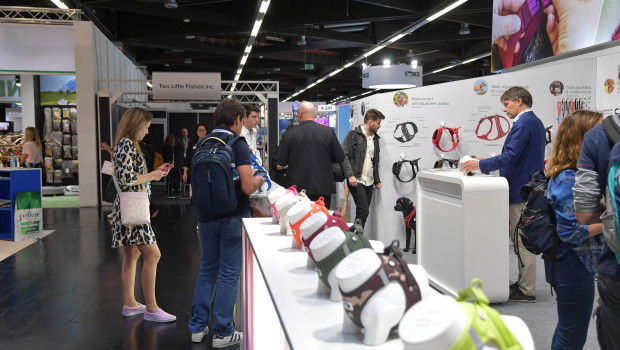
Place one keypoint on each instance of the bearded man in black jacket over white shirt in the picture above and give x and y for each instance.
(361, 162)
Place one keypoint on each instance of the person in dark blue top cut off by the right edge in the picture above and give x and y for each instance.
(590, 186)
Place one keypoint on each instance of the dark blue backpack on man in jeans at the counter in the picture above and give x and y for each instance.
(214, 176)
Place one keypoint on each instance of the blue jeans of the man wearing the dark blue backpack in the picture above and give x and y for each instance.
(221, 262)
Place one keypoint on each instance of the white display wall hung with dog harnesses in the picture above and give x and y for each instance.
(556, 90)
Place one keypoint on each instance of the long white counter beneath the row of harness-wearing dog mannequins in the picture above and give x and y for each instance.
(281, 307)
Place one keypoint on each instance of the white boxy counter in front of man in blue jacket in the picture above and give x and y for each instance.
(462, 229)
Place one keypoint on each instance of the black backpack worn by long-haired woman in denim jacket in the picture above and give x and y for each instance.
(537, 225)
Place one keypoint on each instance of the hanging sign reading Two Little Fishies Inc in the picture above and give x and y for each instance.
(187, 86)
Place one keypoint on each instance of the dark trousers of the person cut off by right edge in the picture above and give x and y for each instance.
(608, 312)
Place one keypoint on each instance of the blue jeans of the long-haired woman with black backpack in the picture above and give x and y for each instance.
(574, 288)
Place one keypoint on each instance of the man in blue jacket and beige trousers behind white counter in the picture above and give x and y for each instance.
(522, 155)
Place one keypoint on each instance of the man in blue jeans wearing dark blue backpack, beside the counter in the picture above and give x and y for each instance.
(220, 234)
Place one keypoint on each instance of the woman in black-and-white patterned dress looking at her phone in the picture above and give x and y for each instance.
(130, 170)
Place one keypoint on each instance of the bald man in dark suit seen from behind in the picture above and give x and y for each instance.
(309, 150)
